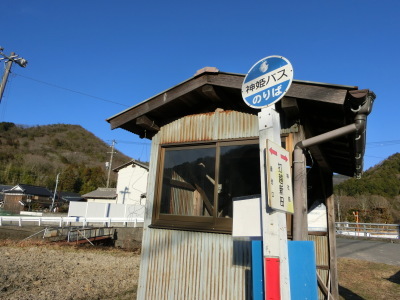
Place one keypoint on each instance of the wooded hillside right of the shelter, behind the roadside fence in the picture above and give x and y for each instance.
(376, 196)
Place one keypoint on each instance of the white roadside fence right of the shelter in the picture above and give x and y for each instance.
(390, 231)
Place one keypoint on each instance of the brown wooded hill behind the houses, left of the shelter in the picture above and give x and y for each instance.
(35, 155)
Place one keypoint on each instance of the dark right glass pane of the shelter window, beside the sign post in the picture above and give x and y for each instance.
(239, 175)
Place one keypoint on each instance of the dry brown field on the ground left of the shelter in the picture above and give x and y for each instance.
(38, 271)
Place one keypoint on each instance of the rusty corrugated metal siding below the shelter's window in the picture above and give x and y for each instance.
(194, 265)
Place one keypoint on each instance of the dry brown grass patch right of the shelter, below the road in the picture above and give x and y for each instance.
(360, 279)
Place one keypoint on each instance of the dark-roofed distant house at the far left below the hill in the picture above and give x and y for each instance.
(25, 197)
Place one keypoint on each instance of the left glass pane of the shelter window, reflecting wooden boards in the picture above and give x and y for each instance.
(188, 182)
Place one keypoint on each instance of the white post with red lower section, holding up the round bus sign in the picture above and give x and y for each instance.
(274, 233)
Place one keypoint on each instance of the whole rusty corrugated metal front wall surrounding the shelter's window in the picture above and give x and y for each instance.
(194, 265)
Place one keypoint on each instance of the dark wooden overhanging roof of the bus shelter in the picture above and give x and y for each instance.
(319, 107)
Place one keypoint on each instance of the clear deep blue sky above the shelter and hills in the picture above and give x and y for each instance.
(89, 60)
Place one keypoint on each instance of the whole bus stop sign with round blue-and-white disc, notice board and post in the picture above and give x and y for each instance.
(266, 83)
